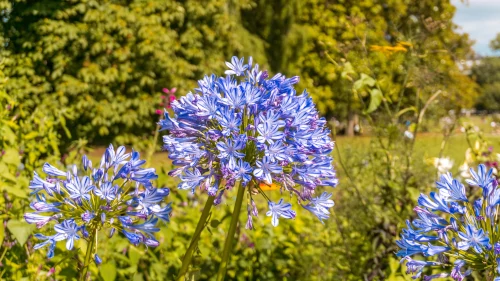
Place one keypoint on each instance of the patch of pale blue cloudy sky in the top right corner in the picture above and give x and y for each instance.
(481, 19)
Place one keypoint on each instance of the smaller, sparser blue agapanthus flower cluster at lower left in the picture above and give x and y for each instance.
(118, 195)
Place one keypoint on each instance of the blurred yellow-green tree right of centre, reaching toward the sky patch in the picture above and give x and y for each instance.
(309, 35)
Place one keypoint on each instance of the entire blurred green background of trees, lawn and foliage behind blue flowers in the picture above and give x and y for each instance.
(398, 83)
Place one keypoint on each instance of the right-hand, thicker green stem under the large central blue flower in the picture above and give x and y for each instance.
(228, 245)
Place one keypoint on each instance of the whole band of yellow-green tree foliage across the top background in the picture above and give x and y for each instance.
(101, 65)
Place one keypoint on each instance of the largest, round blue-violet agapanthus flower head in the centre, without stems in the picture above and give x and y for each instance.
(249, 129)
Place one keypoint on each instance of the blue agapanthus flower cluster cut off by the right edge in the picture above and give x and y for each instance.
(460, 229)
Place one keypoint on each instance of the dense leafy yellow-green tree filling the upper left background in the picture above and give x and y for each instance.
(102, 64)
